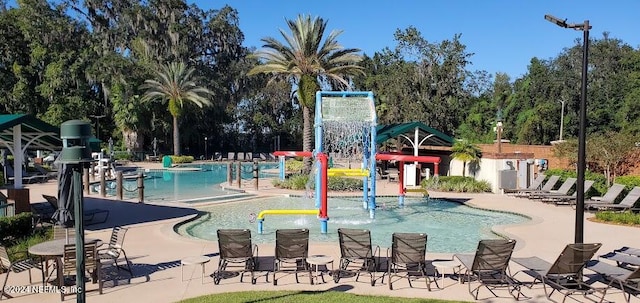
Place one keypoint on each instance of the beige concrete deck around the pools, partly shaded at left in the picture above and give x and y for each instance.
(155, 251)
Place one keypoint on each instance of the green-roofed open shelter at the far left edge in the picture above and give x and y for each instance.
(19, 132)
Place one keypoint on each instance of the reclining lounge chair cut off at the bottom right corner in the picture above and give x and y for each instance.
(624, 279)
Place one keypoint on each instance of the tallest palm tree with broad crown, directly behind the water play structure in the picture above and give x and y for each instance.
(307, 62)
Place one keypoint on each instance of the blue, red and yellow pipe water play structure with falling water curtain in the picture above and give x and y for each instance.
(345, 125)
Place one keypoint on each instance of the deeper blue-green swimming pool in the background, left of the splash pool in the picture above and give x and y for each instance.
(188, 186)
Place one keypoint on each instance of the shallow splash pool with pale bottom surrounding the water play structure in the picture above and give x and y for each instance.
(451, 227)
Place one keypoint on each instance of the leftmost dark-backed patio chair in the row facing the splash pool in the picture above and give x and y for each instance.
(236, 252)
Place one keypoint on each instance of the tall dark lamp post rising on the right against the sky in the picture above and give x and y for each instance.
(582, 137)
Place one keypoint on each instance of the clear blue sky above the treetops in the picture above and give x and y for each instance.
(503, 35)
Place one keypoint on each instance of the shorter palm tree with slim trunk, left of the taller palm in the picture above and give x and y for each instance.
(176, 84)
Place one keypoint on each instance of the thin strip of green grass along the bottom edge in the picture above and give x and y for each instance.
(304, 297)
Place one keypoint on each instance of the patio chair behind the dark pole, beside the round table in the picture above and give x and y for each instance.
(91, 265)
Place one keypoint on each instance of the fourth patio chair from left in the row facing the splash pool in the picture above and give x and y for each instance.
(407, 254)
